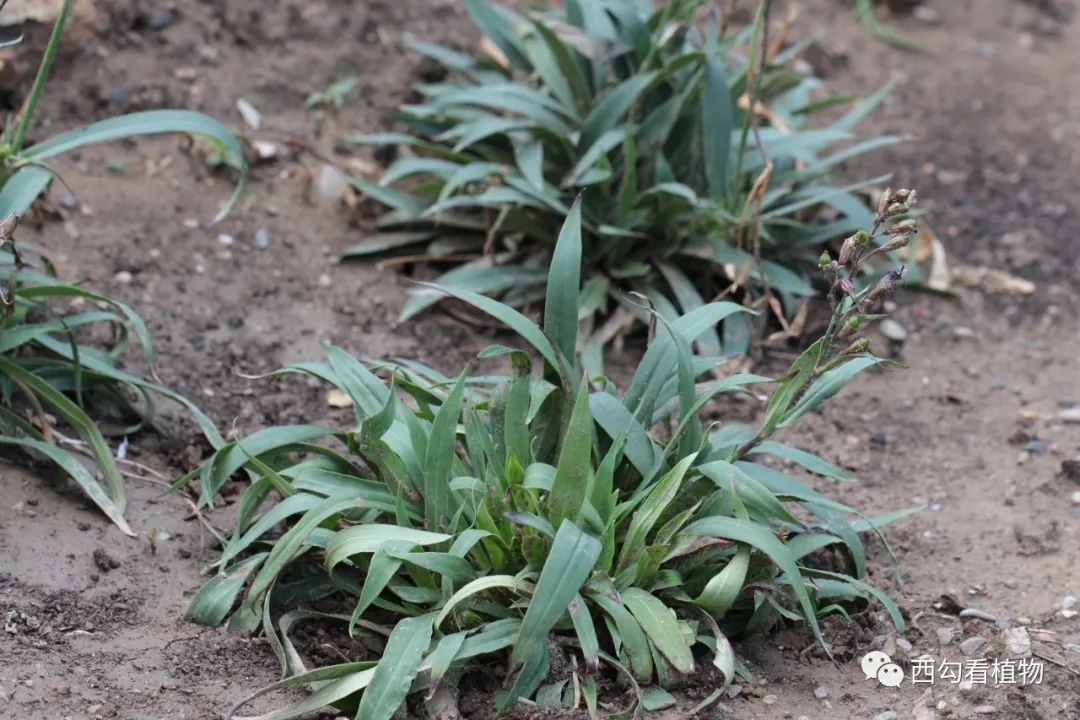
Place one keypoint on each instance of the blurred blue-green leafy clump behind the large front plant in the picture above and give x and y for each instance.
(687, 195)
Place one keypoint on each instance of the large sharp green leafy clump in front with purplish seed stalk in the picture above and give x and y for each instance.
(491, 524)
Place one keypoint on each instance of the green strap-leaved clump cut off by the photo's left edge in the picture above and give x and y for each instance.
(48, 374)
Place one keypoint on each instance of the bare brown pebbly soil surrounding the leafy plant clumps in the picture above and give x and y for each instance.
(973, 428)
